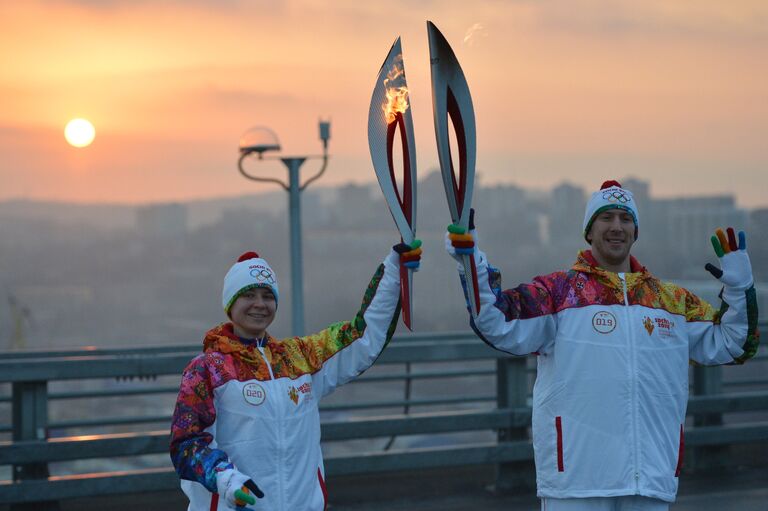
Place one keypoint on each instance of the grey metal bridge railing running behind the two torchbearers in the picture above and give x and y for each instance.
(499, 417)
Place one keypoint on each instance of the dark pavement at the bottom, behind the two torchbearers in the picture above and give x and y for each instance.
(468, 489)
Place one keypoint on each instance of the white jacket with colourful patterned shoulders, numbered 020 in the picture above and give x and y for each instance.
(258, 407)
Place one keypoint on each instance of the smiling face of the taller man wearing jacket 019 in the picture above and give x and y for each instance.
(612, 235)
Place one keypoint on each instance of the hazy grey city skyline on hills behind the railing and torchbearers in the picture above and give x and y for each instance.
(152, 272)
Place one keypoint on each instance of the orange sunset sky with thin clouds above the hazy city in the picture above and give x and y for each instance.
(577, 90)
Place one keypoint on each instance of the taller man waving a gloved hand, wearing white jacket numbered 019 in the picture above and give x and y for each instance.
(614, 344)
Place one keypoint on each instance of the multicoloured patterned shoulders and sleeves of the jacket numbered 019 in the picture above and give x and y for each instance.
(586, 284)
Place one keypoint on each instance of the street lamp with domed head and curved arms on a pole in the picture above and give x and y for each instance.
(259, 140)
